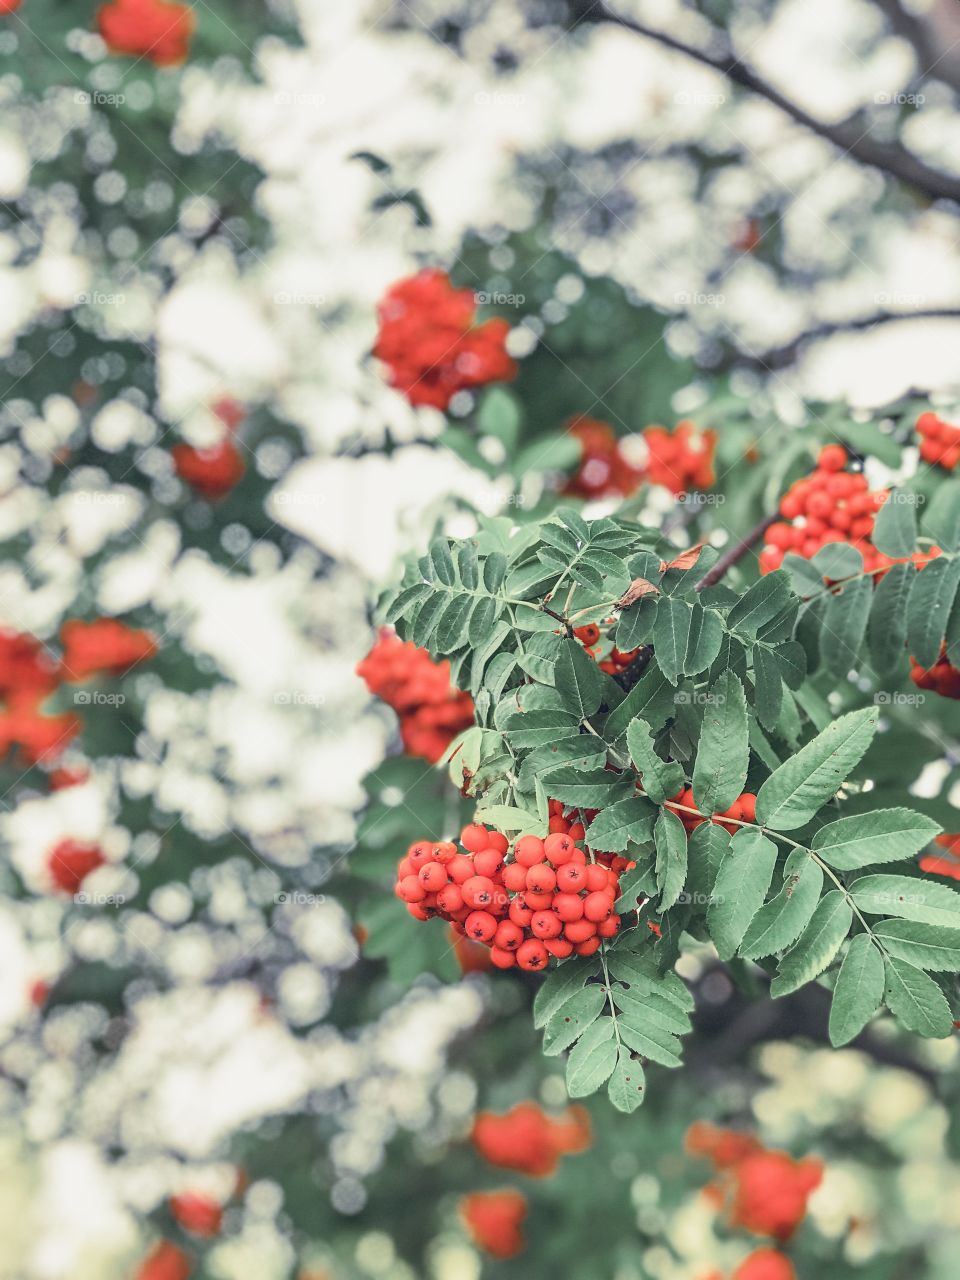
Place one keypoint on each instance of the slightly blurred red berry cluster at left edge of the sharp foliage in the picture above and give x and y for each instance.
(432, 712)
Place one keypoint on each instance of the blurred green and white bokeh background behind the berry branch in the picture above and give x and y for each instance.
(236, 1011)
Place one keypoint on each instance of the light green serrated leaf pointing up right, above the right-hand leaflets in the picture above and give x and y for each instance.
(793, 794)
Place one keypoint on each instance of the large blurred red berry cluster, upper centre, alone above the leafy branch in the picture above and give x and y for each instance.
(432, 344)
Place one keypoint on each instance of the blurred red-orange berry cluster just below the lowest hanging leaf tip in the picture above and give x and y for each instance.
(528, 1140)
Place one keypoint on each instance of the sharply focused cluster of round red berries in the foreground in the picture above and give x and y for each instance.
(548, 900)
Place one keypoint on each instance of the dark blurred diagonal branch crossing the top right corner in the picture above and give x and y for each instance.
(890, 158)
